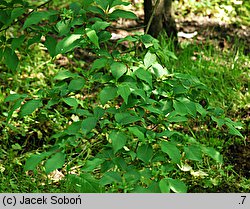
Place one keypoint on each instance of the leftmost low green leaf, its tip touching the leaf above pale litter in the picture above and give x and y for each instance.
(33, 161)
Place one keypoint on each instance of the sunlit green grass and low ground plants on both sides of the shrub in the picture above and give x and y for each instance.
(225, 73)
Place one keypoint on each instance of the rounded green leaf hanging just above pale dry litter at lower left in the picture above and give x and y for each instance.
(54, 162)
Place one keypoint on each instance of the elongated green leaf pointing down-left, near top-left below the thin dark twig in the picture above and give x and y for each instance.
(36, 17)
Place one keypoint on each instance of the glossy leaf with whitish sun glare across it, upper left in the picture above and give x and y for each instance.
(68, 43)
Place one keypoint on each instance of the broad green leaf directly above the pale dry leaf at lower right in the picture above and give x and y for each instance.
(172, 151)
